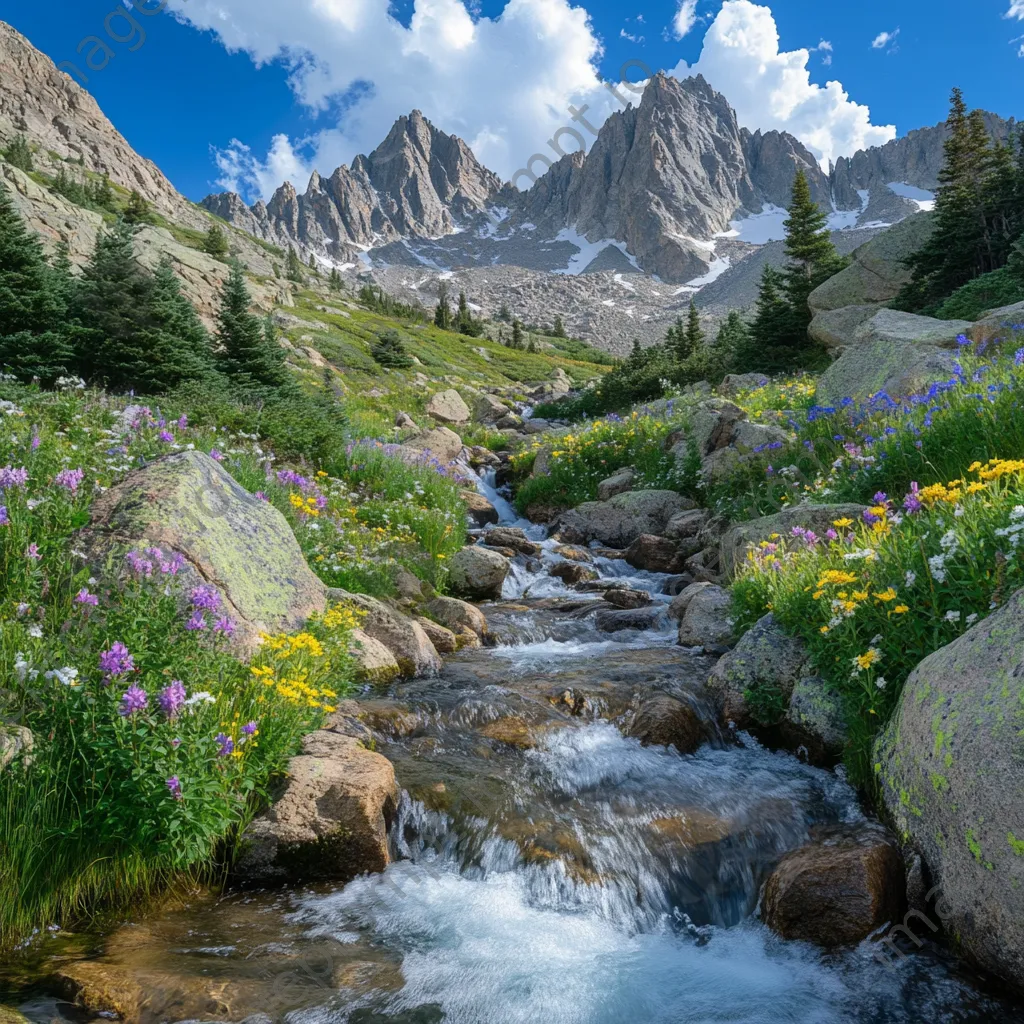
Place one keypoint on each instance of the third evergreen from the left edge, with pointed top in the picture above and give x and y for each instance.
(180, 348)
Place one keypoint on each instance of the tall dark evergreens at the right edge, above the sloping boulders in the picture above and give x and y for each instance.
(979, 211)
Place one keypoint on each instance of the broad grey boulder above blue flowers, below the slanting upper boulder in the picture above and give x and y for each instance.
(894, 353)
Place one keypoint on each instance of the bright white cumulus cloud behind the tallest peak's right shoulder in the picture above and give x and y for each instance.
(771, 89)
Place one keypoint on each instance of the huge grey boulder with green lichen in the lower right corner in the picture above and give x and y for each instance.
(953, 778)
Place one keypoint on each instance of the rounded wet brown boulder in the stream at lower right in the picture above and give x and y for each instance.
(838, 889)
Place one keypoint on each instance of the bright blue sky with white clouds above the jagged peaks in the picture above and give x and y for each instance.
(182, 99)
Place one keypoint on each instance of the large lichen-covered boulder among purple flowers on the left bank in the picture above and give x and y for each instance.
(187, 503)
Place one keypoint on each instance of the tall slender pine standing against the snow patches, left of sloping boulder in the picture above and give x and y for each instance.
(813, 257)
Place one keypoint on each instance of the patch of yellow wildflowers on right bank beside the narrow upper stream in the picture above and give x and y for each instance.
(582, 459)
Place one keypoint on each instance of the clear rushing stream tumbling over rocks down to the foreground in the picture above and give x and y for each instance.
(547, 869)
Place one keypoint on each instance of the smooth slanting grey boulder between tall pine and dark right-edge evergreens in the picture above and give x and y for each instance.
(877, 271)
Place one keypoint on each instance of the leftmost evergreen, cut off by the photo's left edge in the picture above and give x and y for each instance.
(33, 303)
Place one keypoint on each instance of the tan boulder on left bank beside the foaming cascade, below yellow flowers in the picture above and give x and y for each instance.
(330, 823)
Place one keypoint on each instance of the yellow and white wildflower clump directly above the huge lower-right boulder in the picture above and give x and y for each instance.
(873, 599)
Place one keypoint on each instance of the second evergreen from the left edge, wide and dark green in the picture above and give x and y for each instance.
(112, 313)
